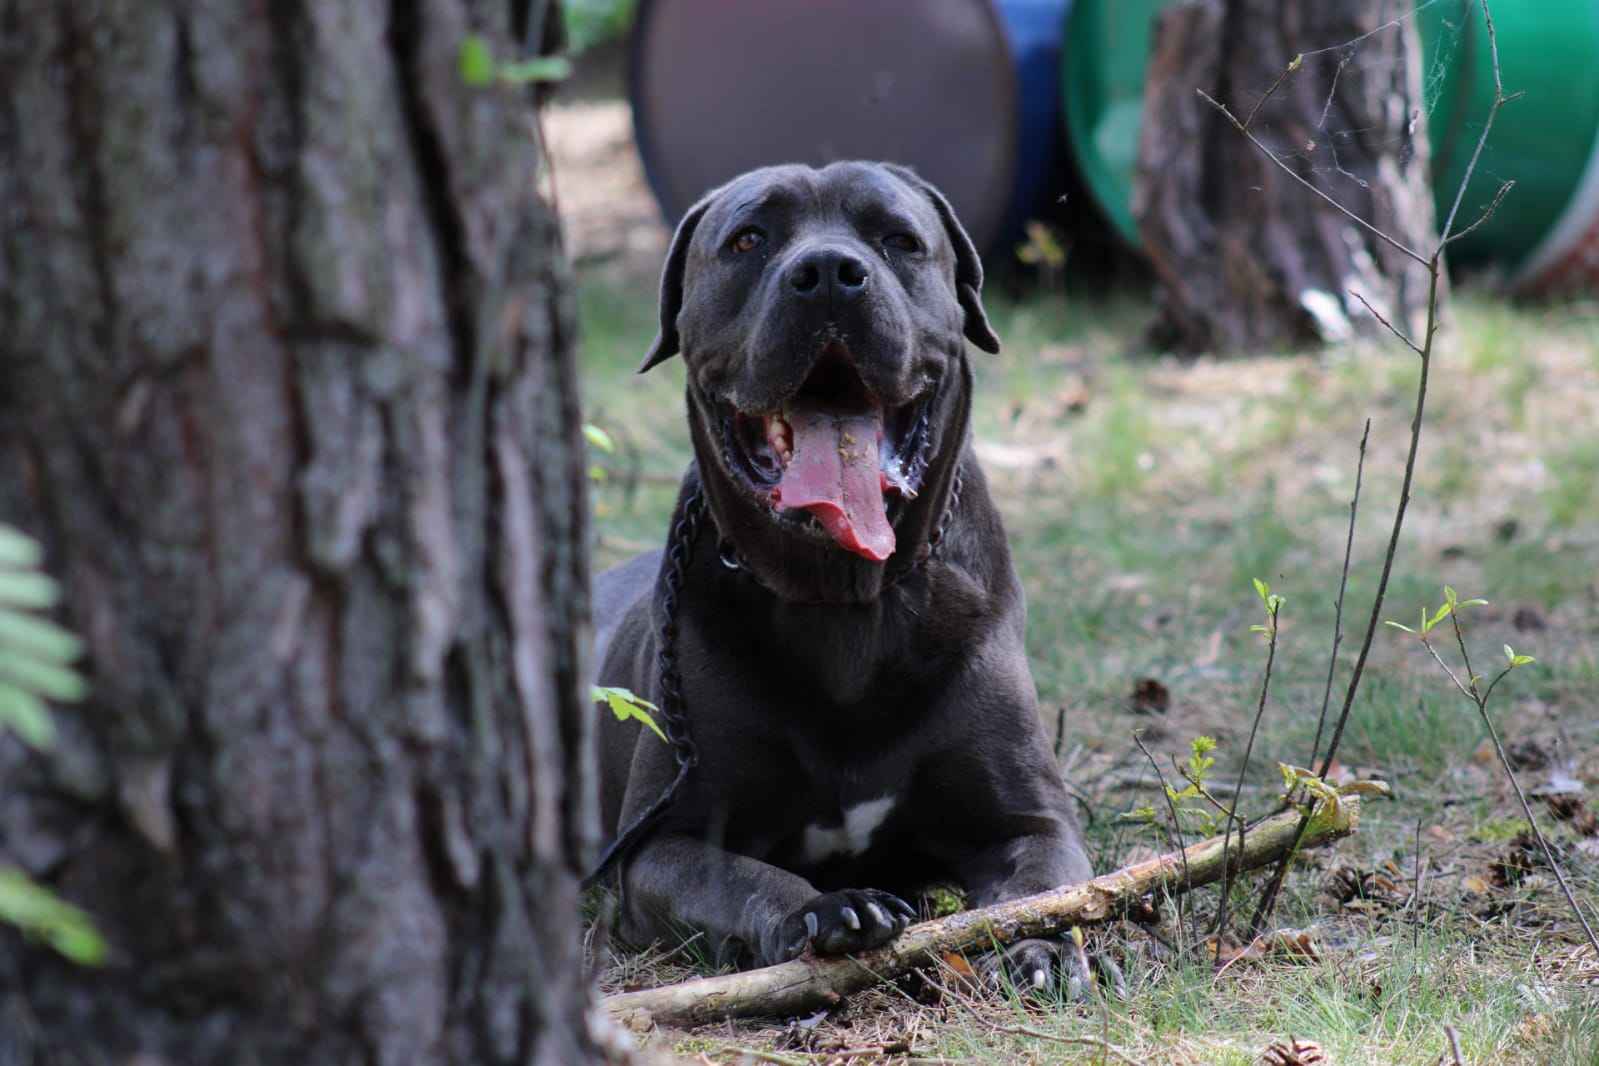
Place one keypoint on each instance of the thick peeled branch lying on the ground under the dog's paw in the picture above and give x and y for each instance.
(808, 984)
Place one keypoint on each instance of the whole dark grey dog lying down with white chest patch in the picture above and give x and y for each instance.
(835, 630)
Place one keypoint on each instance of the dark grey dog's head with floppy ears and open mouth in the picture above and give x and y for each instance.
(823, 316)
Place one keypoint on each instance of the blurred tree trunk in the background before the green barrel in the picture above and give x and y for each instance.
(1246, 257)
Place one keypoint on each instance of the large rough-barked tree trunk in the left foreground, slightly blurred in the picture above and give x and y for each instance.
(289, 394)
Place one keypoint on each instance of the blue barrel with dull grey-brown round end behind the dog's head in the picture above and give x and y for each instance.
(967, 92)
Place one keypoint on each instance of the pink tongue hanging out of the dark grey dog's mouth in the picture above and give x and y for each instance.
(835, 475)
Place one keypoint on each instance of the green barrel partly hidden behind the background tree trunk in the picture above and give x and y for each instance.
(1547, 233)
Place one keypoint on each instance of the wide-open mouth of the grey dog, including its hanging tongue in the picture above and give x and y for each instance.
(835, 456)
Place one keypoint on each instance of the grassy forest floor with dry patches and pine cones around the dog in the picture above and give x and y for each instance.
(1142, 498)
